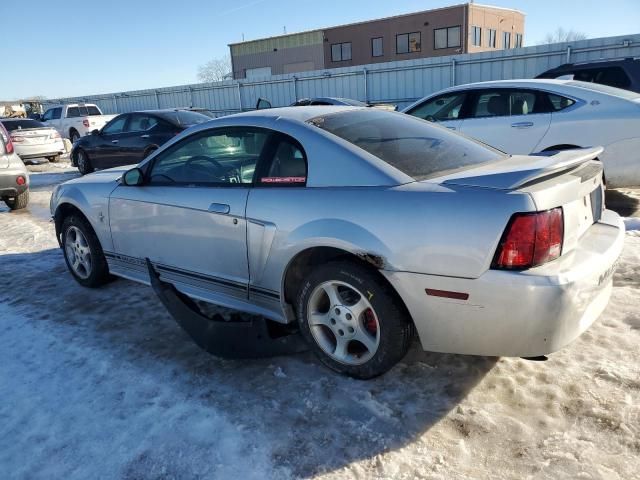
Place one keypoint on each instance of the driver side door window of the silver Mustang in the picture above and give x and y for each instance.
(217, 157)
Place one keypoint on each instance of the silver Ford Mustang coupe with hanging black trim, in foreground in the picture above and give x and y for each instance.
(361, 225)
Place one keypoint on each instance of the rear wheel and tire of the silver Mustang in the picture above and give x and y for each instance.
(353, 320)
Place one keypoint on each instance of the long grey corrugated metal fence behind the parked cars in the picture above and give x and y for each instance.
(397, 82)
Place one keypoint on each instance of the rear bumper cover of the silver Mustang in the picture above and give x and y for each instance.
(519, 314)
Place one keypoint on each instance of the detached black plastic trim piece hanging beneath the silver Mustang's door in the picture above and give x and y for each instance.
(242, 339)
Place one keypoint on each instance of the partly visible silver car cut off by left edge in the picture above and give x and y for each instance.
(14, 178)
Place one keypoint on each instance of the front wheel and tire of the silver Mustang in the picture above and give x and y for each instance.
(83, 253)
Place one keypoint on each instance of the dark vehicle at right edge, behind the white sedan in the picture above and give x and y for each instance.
(615, 73)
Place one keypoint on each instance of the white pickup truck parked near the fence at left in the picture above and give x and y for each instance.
(75, 120)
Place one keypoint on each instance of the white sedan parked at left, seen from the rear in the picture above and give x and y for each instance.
(32, 139)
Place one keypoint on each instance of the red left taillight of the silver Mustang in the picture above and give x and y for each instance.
(530, 239)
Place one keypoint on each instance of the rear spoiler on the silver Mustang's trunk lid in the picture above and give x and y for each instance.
(518, 170)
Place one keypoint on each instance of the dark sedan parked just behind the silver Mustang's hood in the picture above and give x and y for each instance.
(130, 137)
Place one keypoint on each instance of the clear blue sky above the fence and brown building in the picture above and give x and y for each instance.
(72, 47)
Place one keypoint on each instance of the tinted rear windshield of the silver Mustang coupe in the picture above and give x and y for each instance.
(413, 146)
